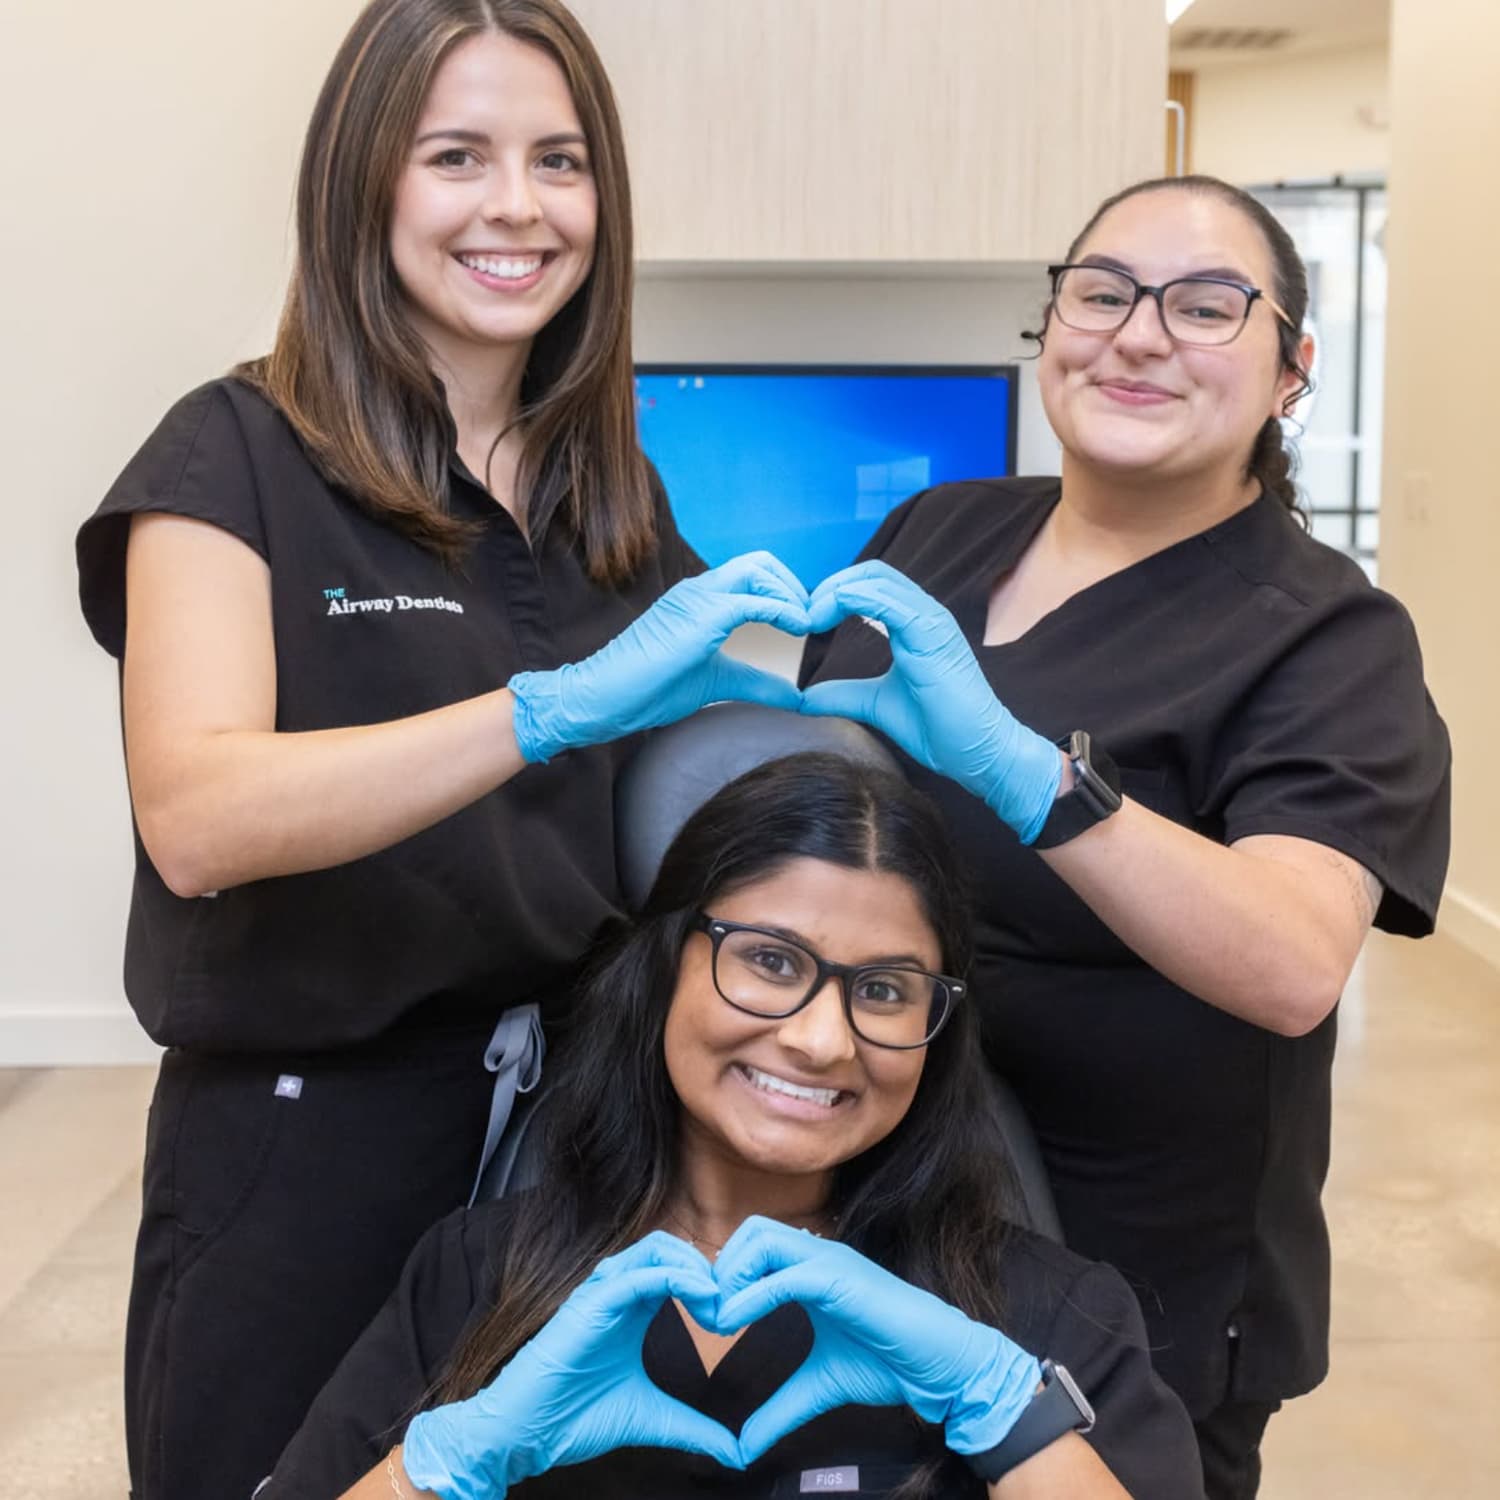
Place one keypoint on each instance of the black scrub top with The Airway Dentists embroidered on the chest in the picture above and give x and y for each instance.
(490, 908)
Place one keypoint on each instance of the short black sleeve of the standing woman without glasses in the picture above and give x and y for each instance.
(196, 464)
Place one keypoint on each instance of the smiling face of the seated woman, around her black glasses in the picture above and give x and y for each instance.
(799, 1096)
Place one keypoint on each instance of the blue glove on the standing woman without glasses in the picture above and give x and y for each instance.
(668, 664)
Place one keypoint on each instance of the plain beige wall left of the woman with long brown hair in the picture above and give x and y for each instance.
(146, 188)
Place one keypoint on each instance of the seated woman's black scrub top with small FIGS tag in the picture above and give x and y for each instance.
(1060, 1306)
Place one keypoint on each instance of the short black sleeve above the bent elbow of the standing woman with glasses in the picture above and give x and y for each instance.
(1342, 745)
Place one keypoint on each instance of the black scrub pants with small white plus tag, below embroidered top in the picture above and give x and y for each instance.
(281, 1199)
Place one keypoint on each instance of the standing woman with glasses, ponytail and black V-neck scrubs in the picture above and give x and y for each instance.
(1189, 757)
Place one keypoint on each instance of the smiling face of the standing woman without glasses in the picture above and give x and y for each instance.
(496, 211)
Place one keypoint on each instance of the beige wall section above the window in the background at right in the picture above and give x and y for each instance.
(1318, 115)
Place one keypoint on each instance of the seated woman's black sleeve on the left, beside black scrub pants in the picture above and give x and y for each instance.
(380, 1385)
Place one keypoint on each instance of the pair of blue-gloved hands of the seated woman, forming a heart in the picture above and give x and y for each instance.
(580, 1388)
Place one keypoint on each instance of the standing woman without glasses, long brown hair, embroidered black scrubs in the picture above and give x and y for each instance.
(365, 592)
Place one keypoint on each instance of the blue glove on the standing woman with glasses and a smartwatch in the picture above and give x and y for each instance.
(935, 703)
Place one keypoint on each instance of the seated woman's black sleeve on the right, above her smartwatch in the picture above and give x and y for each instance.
(1142, 1430)
